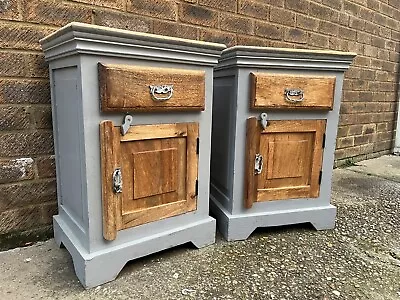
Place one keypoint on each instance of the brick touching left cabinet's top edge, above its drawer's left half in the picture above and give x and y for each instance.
(122, 21)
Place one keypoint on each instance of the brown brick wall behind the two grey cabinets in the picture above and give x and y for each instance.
(369, 27)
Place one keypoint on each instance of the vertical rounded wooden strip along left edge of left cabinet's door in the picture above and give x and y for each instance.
(109, 147)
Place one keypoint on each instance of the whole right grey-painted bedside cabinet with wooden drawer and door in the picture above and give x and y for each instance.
(276, 113)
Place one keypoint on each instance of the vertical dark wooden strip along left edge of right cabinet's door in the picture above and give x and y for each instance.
(252, 148)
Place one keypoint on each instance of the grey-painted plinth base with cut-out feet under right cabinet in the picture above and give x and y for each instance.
(240, 226)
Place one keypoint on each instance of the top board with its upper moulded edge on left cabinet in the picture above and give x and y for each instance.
(105, 33)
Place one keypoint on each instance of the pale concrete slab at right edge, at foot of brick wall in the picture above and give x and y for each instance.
(387, 166)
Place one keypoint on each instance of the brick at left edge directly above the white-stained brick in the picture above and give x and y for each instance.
(26, 143)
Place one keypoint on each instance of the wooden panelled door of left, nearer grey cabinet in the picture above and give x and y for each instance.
(158, 168)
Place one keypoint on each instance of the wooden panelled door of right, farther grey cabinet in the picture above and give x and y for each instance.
(284, 160)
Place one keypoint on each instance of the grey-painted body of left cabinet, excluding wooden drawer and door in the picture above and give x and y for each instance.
(73, 54)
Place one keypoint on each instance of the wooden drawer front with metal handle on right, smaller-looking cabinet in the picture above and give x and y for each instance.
(291, 92)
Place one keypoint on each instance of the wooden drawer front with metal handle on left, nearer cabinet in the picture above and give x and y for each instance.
(128, 88)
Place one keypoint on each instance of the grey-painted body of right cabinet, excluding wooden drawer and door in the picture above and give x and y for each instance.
(227, 184)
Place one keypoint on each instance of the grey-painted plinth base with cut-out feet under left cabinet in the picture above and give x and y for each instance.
(103, 266)
